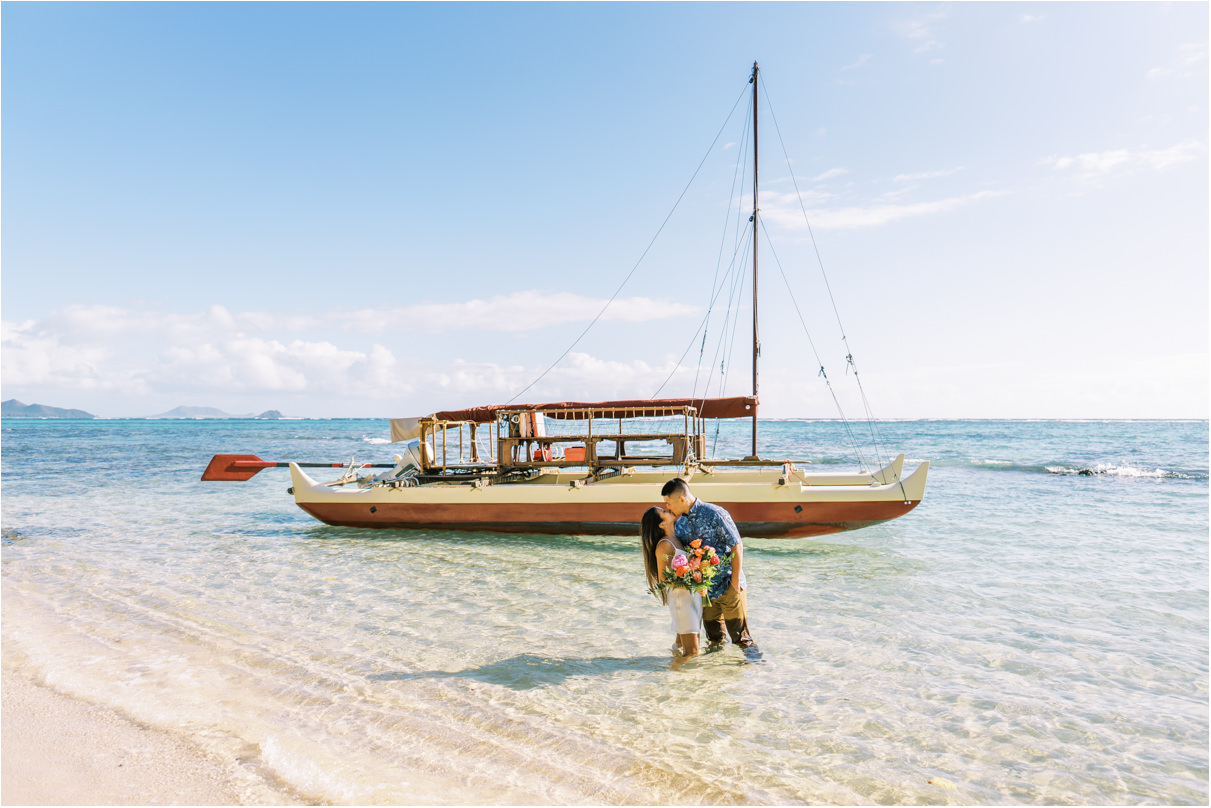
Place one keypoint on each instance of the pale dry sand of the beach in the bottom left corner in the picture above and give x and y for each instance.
(62, 752)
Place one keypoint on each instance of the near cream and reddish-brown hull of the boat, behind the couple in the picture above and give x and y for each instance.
(761, 511)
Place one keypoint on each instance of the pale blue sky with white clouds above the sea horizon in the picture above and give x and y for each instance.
(384, 210)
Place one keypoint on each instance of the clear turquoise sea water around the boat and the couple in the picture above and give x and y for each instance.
(1035, 633)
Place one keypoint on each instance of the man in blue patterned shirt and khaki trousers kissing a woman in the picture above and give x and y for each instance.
(715, 528)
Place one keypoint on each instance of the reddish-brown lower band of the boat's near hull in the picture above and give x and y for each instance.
(759, 520)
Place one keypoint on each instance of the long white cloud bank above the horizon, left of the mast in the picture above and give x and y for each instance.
(145, 356)
